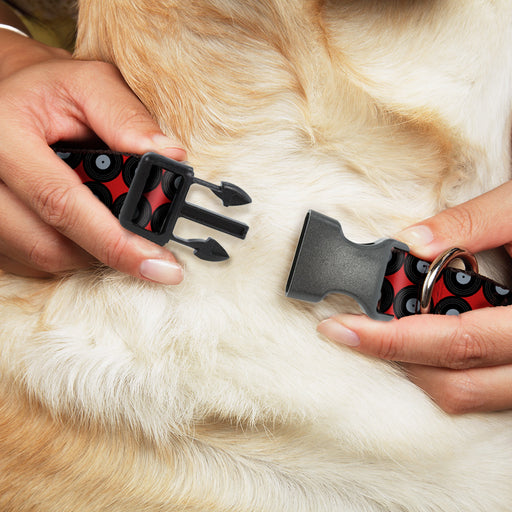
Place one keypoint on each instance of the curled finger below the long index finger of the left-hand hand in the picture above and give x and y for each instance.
(30, 243)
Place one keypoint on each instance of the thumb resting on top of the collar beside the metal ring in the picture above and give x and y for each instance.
(476, 225)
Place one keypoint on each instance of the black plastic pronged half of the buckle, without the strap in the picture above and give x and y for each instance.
(176, 179)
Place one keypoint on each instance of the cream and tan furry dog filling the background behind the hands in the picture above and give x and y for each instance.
(218, 394)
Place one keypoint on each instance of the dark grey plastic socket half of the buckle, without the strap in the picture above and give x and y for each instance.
(326, 262)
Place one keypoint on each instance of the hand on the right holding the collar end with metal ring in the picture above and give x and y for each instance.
(463, 362)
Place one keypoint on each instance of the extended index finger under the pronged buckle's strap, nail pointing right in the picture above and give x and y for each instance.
(56, 194)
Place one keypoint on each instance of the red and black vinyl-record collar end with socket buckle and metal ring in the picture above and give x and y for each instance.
(384, 277)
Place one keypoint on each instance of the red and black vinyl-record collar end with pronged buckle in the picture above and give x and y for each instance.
(147, 193)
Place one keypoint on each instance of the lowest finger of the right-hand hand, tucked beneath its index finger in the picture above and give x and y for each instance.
(463, 391)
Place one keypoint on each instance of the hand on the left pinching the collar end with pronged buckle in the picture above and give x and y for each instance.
(50, 222)
